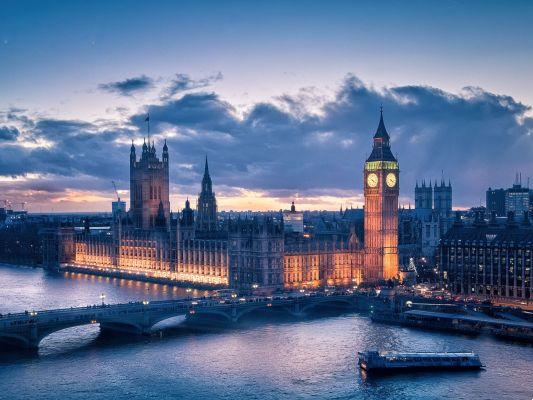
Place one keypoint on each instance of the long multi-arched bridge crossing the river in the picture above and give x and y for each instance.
(26, 330)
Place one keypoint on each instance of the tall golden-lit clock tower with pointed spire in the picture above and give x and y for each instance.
(381, 180)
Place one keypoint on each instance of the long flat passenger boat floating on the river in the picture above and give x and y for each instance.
(375, 361)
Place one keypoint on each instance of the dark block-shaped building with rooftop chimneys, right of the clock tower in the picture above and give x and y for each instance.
(488, 259)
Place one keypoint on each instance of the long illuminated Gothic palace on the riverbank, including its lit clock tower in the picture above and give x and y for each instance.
(242, 253)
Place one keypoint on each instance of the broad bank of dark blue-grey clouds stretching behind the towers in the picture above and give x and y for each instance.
(283, 149)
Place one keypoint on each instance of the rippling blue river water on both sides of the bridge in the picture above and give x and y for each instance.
(269, 359)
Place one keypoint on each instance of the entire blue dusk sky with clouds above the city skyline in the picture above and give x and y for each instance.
(282, 96)
